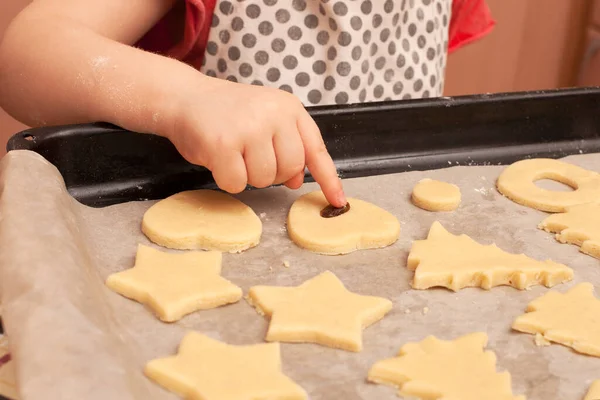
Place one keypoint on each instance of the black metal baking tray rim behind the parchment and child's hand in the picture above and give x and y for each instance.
(104, 164)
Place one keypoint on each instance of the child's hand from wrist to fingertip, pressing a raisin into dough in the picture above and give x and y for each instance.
(252, 135)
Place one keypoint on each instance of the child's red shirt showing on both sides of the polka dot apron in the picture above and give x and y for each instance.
(471, 20)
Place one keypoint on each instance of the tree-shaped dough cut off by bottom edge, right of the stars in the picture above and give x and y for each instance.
(435, 369)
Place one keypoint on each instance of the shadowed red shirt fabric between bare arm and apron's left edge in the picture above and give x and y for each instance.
(187, 45)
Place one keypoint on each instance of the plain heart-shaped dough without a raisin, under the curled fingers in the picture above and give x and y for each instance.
(202, 219)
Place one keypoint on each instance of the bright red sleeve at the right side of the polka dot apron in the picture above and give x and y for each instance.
(471, 20)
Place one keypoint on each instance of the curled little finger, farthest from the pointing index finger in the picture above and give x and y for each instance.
(229, 171)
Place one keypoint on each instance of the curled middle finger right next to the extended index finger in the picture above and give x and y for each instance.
(289, 152)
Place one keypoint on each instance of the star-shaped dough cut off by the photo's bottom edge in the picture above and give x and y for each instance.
(207, 369)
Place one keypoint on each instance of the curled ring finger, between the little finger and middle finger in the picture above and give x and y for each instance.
(261, 164)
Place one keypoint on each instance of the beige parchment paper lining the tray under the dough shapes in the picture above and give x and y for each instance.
(72, 338)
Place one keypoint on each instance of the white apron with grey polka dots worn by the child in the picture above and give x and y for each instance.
(332, 51)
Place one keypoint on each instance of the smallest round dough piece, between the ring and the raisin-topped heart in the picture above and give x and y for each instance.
(432, 195)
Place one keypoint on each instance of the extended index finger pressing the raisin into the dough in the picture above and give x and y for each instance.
(319, 161)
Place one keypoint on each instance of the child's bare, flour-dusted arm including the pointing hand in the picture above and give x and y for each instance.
(70, 61)
